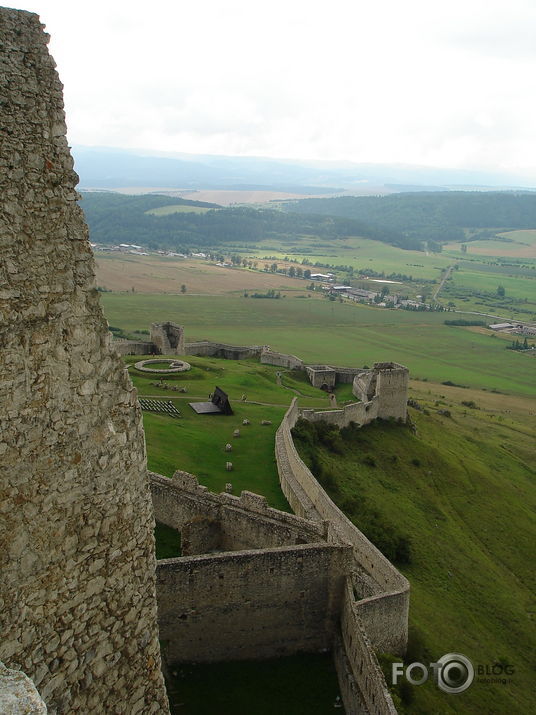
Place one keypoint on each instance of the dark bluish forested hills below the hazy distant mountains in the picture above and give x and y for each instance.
(410, 221)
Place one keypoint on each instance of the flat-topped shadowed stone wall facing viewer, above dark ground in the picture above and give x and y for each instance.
(251, 604)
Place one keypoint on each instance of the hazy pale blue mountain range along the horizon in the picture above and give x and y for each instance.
(108, 168)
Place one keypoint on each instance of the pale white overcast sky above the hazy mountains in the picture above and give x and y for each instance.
(448, 83)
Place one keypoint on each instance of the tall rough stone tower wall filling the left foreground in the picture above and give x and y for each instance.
(77, 585)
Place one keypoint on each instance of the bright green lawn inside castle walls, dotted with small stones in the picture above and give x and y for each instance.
(196, 443)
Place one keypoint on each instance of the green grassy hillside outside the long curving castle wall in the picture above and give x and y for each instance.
(468, 510)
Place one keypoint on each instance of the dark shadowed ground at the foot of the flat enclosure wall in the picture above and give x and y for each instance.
(295, 685)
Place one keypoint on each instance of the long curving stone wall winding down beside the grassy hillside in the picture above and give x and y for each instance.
(375, 602)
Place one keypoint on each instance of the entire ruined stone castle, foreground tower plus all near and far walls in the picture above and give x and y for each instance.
(77, 594)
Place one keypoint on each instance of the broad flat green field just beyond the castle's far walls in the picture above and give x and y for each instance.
(341, 334)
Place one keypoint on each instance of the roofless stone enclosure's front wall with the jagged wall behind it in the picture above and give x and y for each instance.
(263, 583)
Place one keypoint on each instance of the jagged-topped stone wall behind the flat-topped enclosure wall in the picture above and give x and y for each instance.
(245, 522)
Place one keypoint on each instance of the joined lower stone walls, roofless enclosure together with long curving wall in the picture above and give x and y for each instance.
(254, 582)
